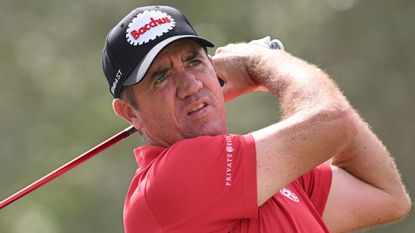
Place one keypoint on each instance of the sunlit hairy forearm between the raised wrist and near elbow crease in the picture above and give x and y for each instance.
(300, 86)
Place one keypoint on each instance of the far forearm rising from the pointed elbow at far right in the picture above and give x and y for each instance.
(368, 159)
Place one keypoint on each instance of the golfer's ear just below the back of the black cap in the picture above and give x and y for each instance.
(124, 110)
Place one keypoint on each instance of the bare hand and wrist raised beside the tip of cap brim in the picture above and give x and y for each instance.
(241, 67)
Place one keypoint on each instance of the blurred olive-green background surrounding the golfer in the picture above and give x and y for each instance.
(55, 103)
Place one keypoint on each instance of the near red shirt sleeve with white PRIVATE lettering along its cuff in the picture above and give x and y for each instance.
(206, 182)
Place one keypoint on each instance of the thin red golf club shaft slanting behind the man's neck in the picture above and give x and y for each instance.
(70, 165)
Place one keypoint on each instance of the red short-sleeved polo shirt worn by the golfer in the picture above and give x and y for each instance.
(208, 184)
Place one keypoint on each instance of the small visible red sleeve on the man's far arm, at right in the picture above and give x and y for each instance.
(316, 184)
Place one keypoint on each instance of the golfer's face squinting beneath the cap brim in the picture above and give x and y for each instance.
(180, 97)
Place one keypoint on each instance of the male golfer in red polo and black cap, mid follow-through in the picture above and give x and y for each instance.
(194, 176)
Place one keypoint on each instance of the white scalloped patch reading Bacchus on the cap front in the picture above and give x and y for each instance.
(148, 26)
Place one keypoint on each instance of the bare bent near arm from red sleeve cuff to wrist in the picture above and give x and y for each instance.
(317, 125)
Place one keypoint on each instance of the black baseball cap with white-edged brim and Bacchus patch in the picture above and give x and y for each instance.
(133, 44)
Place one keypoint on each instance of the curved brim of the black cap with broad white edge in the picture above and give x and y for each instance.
(141, 69)
